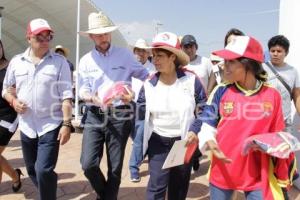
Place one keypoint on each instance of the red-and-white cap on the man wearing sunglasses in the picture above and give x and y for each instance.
(38, 25)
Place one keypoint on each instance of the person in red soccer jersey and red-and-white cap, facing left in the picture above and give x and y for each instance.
(242, 107)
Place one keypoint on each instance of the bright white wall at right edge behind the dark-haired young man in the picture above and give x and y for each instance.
(289, 16)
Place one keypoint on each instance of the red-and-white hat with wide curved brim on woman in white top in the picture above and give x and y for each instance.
(169, 41)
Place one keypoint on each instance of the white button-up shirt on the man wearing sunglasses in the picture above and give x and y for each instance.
(42, 87)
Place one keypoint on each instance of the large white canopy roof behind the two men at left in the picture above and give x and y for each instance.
(62, 17)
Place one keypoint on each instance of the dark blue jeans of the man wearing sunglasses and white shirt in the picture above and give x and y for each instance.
(40, 156)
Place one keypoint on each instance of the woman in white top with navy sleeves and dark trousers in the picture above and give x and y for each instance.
(171, 97)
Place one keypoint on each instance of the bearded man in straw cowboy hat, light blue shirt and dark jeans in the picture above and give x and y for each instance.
(101, 68)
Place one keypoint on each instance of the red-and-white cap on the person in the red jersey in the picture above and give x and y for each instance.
(242, 46)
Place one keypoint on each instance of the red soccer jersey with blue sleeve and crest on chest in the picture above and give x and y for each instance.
(237, 114)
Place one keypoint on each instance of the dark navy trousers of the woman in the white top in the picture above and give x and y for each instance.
(175, 179)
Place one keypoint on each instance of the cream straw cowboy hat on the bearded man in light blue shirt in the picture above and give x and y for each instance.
(98, 24)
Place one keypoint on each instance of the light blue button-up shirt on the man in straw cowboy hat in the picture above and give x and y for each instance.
(98, 72)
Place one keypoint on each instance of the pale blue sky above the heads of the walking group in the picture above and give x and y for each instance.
(207, 20)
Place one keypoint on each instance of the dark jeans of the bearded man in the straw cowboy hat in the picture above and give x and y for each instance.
(112, 129)
